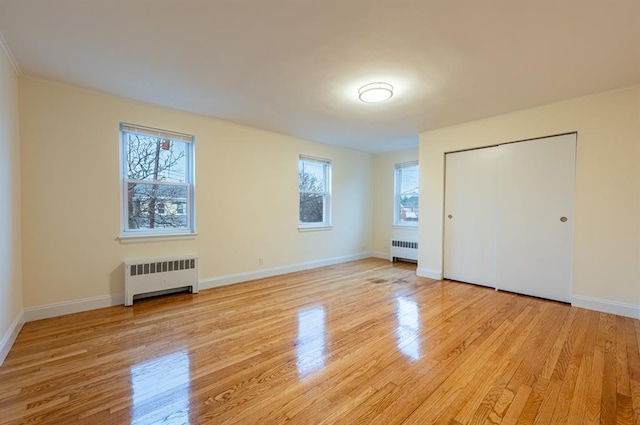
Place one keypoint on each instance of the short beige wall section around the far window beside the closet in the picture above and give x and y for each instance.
(383, 182)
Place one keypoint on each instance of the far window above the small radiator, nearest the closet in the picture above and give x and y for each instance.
(406, 194)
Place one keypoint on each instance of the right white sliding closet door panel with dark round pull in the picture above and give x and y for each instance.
(535, 217)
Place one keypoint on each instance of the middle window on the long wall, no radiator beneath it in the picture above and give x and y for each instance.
(314, 183)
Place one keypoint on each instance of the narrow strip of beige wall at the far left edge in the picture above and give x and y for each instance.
(10, 250)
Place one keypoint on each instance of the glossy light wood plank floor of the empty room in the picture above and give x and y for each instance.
(363, 342)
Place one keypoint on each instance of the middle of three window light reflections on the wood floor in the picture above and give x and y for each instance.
(311, 340)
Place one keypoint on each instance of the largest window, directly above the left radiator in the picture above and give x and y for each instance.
(157, 182)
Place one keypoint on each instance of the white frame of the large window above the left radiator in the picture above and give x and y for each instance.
(190, 205)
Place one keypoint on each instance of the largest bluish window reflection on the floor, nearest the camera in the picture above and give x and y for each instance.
(161, 390)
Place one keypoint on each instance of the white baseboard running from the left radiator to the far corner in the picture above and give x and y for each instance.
(230, 279)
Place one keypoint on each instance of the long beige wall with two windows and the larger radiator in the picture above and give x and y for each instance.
(246, 182)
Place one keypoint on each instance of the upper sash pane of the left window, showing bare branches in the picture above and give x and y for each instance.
(153, 158)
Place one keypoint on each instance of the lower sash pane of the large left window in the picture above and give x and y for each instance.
(156, 206)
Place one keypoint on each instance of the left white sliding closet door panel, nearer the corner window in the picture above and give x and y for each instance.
(469, 222)
